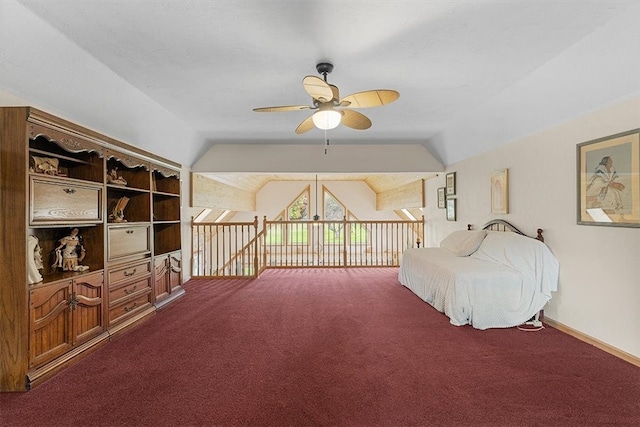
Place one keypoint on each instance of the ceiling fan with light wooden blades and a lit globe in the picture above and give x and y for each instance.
(331, 110)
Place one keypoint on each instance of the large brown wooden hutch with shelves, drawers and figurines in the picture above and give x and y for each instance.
(125, 204)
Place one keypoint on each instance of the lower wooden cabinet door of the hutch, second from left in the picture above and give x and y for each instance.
(87, 308)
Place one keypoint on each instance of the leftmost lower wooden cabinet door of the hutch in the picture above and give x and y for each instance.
(49, 322)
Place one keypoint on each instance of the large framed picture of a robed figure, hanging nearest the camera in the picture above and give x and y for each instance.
(609, 180)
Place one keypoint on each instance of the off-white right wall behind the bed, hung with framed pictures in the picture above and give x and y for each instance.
(599, 288)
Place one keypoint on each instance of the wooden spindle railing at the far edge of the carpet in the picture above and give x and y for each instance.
(236, 249)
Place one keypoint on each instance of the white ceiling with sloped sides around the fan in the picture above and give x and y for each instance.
(472, 75)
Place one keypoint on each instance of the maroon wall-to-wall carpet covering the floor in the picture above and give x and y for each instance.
(344, 347)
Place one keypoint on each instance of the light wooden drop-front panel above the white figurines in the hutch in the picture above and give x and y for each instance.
(64, 201)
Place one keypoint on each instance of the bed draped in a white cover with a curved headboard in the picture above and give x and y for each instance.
(495, 277)
